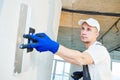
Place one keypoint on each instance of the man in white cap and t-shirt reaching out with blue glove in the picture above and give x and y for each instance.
(95, 57)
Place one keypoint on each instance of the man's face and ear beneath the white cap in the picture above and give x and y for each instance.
(88, 33)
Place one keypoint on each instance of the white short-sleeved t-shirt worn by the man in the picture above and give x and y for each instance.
(100, 70)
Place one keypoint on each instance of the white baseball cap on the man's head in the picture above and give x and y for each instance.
(91, 22)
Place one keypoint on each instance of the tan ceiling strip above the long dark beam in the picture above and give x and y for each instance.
(90, 5)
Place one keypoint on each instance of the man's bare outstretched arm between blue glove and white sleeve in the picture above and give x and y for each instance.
(74, 56)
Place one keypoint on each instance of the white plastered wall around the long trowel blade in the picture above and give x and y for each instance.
(35, 66)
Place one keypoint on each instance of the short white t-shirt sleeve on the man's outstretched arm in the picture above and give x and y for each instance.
(98, 53)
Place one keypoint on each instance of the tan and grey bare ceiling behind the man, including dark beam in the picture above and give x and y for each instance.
(107, 12)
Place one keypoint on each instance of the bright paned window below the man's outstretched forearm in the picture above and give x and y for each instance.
(60, 70)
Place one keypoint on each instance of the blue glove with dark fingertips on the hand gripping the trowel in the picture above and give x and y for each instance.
(41, 42)
